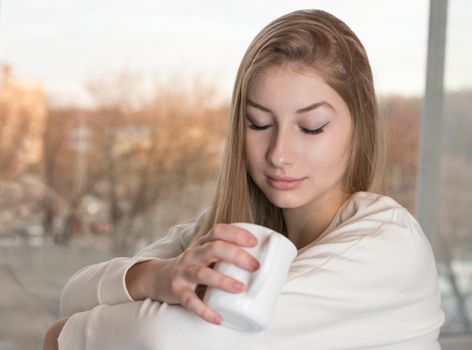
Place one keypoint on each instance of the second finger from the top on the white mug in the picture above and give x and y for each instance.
(227, 252)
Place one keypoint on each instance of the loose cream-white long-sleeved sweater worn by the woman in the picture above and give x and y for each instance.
(368, 282)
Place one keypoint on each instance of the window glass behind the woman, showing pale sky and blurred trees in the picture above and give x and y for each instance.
(102, 149)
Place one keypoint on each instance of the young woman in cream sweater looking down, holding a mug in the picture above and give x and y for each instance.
(302, 152)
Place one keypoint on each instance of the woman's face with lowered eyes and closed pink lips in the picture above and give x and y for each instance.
(297, 129)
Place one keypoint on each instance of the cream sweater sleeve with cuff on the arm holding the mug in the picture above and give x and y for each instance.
(104, 283)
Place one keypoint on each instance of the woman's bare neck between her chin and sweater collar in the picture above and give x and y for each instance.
(305, 224)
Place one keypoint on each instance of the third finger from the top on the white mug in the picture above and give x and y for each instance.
(212, 278)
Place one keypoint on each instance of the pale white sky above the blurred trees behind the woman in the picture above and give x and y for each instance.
(64, 44)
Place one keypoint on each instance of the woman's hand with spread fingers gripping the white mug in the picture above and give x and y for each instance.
(179, 277)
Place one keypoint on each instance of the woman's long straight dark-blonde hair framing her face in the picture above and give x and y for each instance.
(303, 38)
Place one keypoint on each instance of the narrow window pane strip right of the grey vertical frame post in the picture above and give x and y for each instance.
(454, 241)
